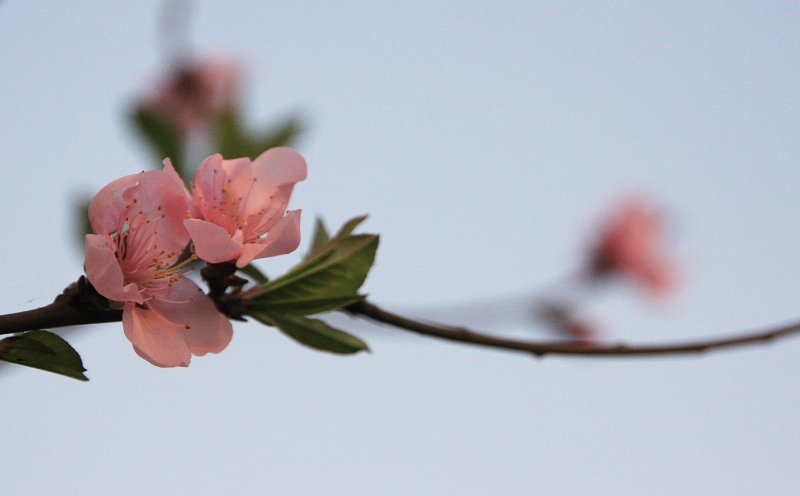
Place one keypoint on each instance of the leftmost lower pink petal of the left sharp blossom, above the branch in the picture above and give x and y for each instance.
(104, 271)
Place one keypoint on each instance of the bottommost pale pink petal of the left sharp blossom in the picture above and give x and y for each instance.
(155, 338)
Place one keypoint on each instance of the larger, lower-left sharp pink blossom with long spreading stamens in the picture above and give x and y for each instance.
(139, 235)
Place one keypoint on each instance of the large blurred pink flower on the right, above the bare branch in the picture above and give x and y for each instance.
(630, 244)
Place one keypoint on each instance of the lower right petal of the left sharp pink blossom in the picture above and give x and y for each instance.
(204, 329)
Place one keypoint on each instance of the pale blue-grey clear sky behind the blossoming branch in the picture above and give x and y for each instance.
(485, 140)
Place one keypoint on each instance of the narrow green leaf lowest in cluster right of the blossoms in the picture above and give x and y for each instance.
(313, 333)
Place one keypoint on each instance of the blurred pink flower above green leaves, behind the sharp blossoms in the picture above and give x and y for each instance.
(196, 93)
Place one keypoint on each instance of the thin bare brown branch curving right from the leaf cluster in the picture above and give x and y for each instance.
(465, 335)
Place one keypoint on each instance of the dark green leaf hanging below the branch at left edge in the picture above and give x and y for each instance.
(43, 350)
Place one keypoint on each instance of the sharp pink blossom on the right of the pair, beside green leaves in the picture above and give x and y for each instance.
(236, 202)
